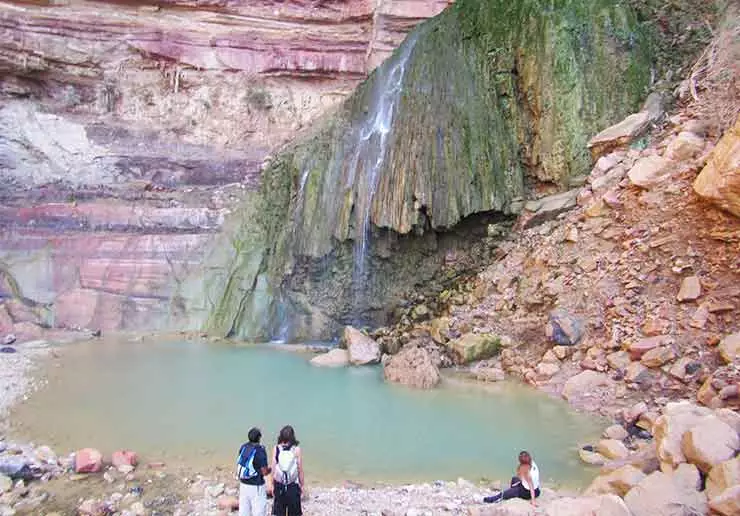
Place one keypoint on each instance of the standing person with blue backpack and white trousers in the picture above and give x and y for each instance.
(251, 468)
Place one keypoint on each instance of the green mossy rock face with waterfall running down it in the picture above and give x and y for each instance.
(491, 96)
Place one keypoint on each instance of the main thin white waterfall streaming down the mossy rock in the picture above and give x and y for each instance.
(370, 145)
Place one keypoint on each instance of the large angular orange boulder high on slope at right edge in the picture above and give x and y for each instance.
(719, 181)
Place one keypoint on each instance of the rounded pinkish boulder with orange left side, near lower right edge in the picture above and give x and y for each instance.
(709, 442)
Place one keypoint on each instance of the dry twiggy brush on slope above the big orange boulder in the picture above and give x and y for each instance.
(714, 81)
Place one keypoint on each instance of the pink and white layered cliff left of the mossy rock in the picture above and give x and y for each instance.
(129, 130)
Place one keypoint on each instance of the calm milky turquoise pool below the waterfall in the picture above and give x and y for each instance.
(191, 403)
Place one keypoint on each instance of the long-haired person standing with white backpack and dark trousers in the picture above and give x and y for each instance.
(287, 475)
